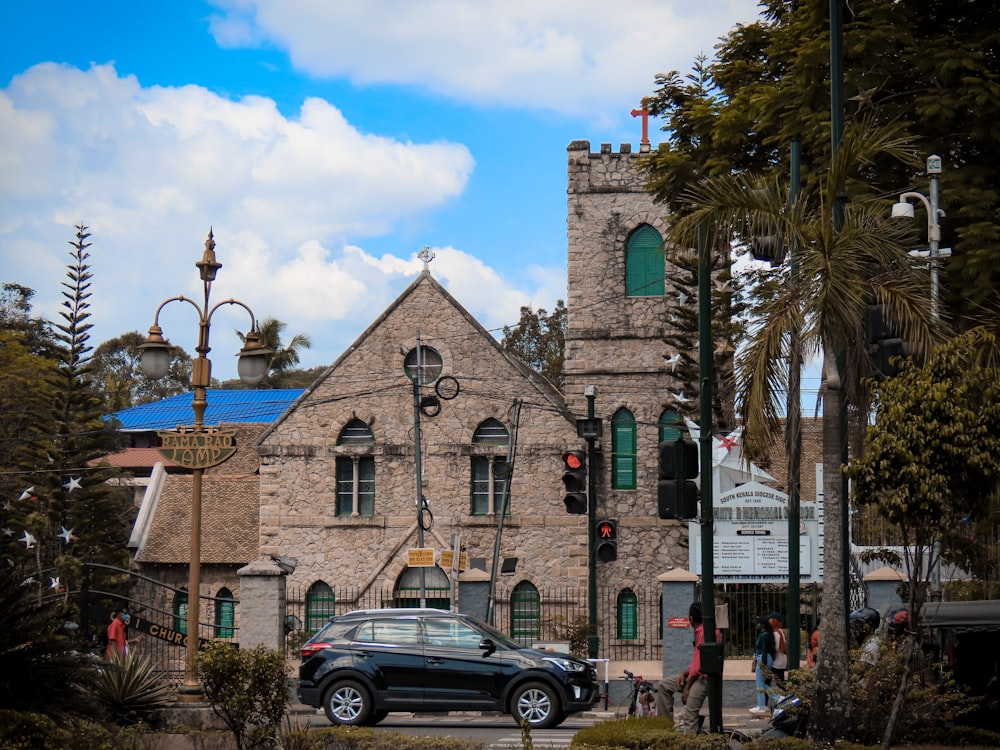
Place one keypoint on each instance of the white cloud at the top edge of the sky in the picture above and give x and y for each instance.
(579, 57)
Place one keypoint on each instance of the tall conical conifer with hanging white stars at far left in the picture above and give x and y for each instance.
(68, 513)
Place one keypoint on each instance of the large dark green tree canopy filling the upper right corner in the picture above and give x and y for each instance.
(932, 66)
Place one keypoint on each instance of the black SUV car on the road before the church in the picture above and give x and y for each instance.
(364, 664)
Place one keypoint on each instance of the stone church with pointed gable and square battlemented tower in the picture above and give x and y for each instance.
(338, 488)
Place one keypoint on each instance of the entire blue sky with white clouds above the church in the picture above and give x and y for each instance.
(324, 142)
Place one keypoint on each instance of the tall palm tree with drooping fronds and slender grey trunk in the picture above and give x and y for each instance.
(840, 272)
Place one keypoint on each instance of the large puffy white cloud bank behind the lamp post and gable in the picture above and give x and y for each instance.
(150, 170)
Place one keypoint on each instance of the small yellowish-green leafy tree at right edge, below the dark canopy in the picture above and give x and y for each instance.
(931, 464)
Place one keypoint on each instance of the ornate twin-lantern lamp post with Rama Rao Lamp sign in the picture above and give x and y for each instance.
(199, 447)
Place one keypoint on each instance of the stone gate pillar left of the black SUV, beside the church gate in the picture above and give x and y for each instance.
(262, 605)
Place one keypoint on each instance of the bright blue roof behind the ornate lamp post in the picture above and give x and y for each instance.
(224, 405)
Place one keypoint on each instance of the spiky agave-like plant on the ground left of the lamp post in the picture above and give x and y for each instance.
(130, 689)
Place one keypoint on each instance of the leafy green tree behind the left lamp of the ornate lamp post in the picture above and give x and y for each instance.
(118, 375)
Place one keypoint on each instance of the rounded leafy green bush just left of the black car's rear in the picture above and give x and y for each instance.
(247, 689)
